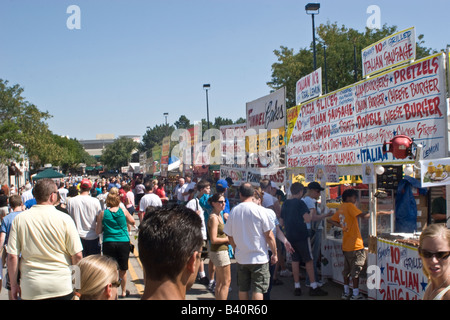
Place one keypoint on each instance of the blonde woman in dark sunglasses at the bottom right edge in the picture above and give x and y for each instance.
(434, 249)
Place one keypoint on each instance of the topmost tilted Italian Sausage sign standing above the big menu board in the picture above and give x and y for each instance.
(389, 52)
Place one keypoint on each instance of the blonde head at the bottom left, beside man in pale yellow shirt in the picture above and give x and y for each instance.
(98, 278)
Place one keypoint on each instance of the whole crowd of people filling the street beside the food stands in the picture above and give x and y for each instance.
(50, 227)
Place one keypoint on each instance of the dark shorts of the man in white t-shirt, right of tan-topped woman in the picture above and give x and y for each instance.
(253, 276)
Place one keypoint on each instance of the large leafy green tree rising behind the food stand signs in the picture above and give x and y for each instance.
(340, 44)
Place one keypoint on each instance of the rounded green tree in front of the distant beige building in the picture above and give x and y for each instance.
(118, 154)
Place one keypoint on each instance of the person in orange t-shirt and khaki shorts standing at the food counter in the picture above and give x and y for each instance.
(346, 217)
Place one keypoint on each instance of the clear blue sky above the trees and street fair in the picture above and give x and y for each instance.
(133, 60)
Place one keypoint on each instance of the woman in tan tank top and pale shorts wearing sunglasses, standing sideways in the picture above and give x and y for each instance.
(218, 252)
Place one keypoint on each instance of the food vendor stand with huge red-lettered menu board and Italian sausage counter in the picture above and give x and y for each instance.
(349, 128)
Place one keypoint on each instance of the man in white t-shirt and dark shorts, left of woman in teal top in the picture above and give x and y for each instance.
(84, 210)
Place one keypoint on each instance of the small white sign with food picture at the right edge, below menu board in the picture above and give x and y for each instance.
(435, 172)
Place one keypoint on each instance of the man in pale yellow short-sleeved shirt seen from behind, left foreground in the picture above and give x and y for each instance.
(47, 241)
